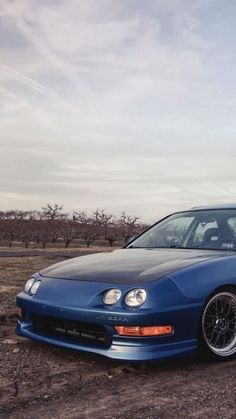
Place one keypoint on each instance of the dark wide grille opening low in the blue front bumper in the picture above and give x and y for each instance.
(71, 330)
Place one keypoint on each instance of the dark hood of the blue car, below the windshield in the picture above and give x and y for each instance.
(129, 266)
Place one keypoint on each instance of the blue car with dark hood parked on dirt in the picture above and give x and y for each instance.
(170, 292)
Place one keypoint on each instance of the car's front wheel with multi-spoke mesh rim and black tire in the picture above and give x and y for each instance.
(218, 325)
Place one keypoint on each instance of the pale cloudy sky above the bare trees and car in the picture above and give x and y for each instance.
(122, 105)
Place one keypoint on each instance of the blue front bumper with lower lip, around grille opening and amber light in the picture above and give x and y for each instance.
(182, 342)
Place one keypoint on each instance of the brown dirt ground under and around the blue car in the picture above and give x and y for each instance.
(39, 381)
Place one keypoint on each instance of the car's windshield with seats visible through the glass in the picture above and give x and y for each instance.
(205, 229)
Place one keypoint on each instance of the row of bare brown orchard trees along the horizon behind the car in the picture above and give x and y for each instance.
(51, 224)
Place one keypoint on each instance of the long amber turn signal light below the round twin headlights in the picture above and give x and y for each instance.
(144, 330)
